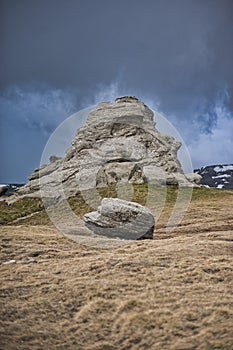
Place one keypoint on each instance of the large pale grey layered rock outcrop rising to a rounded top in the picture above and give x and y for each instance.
(118, 143)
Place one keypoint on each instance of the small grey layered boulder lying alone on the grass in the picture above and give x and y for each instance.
(117, 218)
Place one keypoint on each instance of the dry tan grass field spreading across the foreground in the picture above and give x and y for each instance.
(173, 292)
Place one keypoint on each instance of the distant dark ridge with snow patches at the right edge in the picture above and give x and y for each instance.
(218, 176)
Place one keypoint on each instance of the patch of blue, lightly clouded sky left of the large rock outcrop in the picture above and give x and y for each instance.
(27, 118)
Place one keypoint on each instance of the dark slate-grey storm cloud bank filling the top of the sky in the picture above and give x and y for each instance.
(174, 48)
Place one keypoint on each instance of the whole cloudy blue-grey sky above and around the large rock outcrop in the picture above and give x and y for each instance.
(58, 56)
